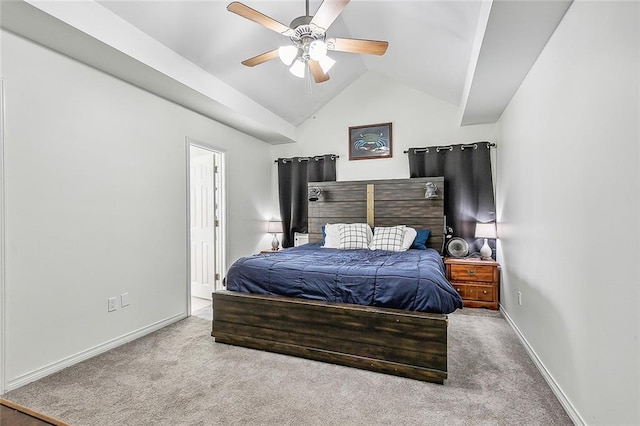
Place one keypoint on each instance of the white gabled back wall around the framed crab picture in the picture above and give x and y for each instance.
(418, 120)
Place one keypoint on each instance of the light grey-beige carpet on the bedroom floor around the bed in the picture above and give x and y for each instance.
(180, 376)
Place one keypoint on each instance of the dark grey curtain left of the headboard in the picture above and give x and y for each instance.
(293, 175)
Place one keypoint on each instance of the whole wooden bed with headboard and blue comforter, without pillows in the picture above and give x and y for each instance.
(363, 326)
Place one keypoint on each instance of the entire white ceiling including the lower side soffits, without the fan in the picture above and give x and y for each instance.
(468, 53)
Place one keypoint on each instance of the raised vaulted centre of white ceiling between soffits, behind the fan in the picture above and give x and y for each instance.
(217, 40)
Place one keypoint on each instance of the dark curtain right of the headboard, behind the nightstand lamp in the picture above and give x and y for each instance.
(468, 184)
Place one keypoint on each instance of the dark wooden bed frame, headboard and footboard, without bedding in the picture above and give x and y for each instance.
(403, 343)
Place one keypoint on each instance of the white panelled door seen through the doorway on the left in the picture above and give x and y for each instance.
(203, 222)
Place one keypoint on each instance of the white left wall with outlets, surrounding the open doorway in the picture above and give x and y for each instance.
(96, 206)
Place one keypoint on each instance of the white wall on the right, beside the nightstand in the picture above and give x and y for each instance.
(568, 206)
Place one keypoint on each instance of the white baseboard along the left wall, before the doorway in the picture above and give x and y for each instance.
(90, 353)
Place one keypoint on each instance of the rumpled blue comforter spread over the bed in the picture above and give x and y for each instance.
(412, 280)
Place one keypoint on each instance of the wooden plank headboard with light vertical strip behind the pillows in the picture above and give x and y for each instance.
(383, 202)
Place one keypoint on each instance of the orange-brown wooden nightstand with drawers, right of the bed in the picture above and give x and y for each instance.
(477, 281)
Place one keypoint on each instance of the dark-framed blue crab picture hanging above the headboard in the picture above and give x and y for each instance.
(370, 141)
